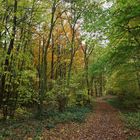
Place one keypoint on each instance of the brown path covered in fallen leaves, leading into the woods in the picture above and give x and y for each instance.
(103, 124)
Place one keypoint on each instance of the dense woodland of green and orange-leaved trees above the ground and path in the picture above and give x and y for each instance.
(56, 54)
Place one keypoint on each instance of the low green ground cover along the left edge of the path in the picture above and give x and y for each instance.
(32, 127)
